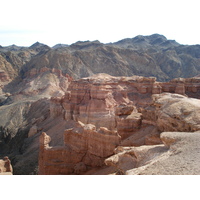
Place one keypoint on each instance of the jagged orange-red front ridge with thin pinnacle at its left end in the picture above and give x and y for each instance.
(85, 147)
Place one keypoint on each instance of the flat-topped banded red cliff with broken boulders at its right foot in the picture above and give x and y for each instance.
(116, 102)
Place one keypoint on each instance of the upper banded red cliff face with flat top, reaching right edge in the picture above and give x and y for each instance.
(95, 99)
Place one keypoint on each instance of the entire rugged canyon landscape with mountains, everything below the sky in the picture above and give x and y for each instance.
(129, 107)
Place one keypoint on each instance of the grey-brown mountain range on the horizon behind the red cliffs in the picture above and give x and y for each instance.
(152, 55)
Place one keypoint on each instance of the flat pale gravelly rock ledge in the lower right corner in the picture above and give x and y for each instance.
(182, 158)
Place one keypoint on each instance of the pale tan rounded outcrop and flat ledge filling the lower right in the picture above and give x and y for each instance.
(168, 112)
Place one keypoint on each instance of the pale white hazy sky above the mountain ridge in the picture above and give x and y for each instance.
(24, 22)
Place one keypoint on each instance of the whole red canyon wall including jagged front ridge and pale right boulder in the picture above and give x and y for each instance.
(107, 112)
